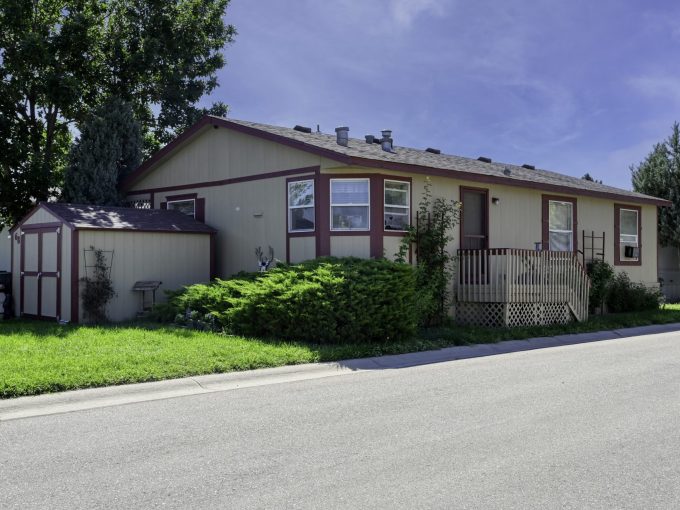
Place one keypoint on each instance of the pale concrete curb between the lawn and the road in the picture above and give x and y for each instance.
(78, 400)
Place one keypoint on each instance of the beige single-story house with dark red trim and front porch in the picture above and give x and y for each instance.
(308, 194)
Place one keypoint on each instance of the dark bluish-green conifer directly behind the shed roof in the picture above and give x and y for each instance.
(109, 147)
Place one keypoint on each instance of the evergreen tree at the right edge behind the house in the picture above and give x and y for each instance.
(659, 175)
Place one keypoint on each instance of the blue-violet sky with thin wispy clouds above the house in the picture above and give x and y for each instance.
(571, 86)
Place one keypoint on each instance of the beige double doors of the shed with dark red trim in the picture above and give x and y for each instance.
(41, 272)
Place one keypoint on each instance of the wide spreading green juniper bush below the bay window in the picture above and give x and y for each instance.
(325, 300)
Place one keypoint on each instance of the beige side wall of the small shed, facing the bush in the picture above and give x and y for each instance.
(175, 259)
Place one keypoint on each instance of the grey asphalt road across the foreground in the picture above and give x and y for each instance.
(584, 426)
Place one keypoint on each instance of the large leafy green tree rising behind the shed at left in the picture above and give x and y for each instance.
(60, 59)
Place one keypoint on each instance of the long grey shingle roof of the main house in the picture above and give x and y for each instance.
(517, 175)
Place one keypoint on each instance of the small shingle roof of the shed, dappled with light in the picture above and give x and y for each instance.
(126, 218)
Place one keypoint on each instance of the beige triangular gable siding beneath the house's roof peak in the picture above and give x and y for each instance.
(219, 154)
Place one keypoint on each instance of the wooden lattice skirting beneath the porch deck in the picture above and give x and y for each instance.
(512, 314)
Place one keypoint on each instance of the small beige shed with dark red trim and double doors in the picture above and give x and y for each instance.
(52, 250)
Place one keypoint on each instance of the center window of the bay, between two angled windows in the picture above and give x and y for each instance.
(350, 204)
